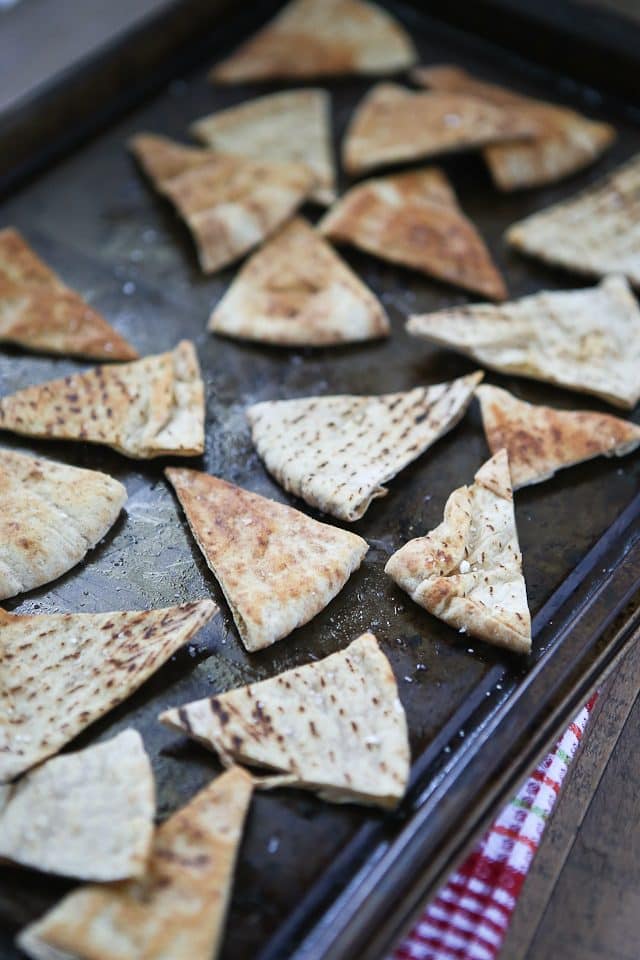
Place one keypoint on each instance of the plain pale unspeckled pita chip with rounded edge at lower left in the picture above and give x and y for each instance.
(87, 814)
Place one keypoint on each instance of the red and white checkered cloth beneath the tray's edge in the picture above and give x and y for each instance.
(468, 919)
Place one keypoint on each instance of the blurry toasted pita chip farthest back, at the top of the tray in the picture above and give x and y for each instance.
(314, 38)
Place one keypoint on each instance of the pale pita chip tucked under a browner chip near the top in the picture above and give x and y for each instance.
(293, 126)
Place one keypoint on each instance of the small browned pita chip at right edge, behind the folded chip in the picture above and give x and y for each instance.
(540, 440)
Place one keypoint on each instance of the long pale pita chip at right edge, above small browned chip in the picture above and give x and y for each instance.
(586, 340)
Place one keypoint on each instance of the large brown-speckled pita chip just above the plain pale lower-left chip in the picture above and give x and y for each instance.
(60, 672)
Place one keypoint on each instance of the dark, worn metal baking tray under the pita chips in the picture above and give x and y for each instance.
(314, 880)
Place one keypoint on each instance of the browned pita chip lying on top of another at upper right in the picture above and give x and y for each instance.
(393, 124)
